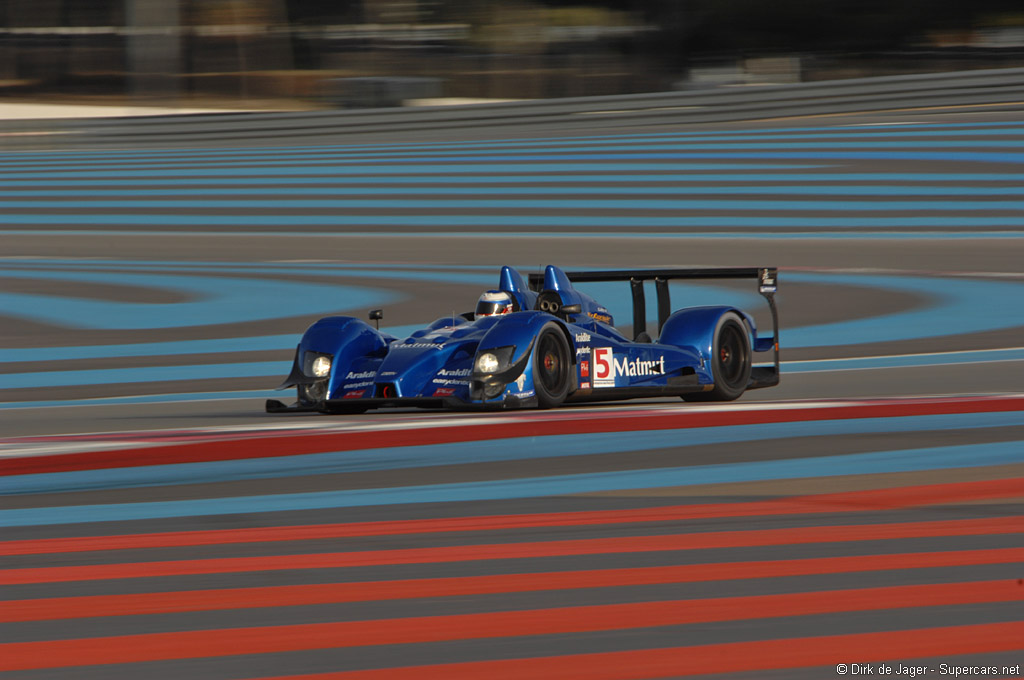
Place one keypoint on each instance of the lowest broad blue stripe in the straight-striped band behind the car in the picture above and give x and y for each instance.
(191, 222)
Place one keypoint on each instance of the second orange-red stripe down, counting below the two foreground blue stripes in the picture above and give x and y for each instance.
(704, 541)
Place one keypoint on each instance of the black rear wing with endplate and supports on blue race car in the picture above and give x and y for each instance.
(767, 279)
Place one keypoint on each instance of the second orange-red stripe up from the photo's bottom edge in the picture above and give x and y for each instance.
(196, 645)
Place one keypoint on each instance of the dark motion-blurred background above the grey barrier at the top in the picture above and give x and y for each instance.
(352, 54)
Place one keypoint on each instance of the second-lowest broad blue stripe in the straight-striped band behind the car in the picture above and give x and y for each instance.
(732, 205)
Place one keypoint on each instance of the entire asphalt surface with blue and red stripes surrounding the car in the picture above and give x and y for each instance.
(868, 512)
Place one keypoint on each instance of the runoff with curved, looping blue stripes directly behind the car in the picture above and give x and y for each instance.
(143, 330)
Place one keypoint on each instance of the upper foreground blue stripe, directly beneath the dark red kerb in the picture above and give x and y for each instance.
(401, 458)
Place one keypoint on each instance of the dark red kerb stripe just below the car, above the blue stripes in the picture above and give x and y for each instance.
(292, 445)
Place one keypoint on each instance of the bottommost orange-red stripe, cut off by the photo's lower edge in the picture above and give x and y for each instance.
(827, 652)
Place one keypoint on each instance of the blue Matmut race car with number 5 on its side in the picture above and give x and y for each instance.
(539, 348)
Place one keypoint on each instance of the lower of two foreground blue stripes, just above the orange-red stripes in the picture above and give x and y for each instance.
(971, 456)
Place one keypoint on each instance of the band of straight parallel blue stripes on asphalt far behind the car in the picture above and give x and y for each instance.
(910, 180)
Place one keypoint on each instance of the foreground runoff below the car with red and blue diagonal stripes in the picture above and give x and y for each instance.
(543, 545)
